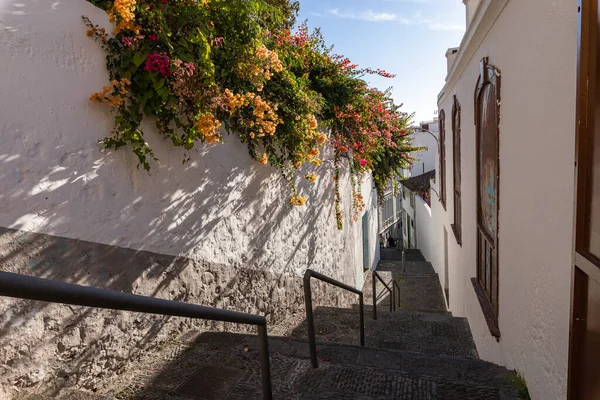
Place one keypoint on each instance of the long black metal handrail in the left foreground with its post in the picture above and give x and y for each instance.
(32, 288)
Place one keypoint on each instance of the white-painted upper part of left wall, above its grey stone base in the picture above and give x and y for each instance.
(58, 180)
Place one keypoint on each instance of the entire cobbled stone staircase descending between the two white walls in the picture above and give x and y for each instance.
(418, 352)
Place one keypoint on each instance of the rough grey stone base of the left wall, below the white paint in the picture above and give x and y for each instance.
(47, 348)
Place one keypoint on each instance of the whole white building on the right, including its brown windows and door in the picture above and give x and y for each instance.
(504, 238)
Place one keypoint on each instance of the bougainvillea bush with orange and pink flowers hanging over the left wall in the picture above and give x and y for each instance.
(204, 67)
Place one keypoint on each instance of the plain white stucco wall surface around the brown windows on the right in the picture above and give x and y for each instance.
(533, 43)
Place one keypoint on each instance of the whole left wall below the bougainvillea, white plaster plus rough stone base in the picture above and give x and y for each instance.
(218, 230)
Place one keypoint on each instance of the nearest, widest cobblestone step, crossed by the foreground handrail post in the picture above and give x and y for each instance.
(230, 363)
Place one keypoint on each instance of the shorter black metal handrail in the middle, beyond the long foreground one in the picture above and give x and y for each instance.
(310, 321)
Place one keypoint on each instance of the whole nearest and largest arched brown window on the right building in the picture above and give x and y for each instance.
(487, 119)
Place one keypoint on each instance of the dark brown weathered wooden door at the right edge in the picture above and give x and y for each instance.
(584, 365)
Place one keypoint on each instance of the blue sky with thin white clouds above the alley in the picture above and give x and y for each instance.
(406, 37)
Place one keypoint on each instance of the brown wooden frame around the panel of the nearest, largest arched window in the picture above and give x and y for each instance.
(488, 246)
